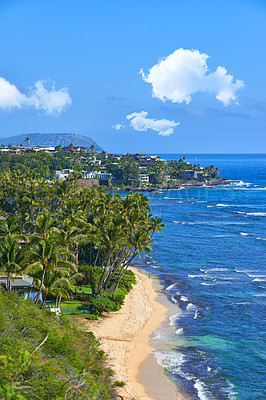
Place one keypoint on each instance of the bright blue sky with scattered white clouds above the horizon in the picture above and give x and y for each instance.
(145, 76)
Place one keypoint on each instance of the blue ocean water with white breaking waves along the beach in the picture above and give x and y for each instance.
(211, 259)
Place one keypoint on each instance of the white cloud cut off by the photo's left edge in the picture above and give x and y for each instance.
(48, 100)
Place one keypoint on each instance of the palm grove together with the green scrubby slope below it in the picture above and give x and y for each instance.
(77, 245)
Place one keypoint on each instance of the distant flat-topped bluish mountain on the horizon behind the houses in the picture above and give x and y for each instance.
(50, 139)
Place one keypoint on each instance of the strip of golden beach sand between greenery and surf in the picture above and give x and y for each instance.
(124, 337)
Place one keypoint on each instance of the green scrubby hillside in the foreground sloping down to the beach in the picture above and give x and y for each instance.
(65, 365)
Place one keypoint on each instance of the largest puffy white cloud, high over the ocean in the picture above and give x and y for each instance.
(184, 73)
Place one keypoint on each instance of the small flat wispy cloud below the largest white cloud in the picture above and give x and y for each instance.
(141, 123)
